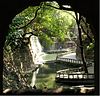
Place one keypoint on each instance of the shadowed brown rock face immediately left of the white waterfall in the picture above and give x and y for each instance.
(23, 58)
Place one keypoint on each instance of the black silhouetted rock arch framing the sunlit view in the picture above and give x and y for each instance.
(10, 8)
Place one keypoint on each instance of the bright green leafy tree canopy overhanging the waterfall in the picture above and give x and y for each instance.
(52, 22)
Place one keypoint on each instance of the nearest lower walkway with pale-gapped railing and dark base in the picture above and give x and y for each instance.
(74, 77)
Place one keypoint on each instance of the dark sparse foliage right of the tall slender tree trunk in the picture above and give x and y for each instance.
(88, 39)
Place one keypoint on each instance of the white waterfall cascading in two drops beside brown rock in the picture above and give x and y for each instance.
(36, 52)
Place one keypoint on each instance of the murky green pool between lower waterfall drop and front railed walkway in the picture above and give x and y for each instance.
(46, 75)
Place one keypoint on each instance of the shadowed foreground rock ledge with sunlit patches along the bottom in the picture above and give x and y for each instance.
(58, 91)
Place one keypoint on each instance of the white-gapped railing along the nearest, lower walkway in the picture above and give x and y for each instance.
(75, 76)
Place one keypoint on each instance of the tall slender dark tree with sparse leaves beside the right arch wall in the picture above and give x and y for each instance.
(87, 33)
